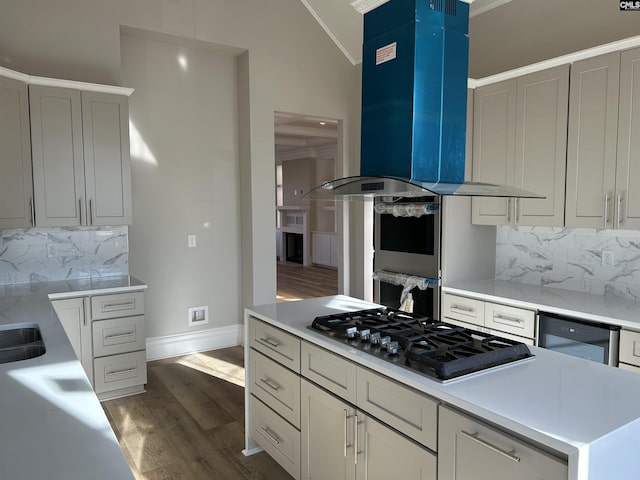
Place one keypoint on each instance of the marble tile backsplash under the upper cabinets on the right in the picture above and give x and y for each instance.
(570, 259)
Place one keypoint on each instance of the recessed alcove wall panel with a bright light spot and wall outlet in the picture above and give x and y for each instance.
(185, 110)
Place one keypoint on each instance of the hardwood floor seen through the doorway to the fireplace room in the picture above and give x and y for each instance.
(296, 282)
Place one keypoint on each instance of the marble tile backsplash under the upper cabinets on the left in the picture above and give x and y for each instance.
(49, 254)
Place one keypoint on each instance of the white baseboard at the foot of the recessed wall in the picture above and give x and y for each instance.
(202, 340)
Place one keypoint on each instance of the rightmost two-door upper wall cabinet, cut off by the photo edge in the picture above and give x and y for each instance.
(603, 169)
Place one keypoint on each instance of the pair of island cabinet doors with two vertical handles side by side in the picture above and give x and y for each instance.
(340, 442)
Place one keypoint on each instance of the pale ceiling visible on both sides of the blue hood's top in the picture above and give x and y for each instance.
(342, 20)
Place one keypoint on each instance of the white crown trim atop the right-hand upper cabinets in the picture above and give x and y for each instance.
(619, 45)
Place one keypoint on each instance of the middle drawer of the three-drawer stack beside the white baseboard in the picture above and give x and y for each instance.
(118, 335)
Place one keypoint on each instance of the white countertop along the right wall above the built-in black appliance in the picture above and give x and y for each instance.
(597, 308)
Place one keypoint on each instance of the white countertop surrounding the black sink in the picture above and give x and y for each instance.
(52, 424)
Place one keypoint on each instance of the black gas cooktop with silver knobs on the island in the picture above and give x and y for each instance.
(436, 349)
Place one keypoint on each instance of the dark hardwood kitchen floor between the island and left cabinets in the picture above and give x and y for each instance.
(190, 423)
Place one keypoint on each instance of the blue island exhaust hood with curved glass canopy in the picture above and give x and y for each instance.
(414, 105)
